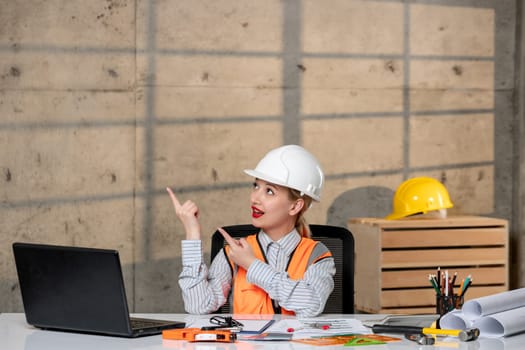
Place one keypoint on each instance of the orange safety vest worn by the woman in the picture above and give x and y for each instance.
(251, 299)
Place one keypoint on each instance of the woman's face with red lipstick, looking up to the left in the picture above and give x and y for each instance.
(272, 208)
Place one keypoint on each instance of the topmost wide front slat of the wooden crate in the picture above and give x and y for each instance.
(444, 237)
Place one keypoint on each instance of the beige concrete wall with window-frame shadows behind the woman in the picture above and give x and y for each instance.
(104, 103)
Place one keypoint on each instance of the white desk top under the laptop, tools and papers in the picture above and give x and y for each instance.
(16, 334)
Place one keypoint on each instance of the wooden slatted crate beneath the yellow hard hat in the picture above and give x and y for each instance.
(395, 257)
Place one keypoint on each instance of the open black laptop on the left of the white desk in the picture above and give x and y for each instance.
(79, 290)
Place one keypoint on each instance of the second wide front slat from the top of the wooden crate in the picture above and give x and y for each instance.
(443, 257)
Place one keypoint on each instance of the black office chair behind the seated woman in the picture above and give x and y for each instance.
(339, 240)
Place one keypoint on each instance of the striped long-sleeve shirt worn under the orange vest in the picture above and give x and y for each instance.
(205, 290)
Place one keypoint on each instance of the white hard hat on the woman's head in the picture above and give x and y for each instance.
(291, 166)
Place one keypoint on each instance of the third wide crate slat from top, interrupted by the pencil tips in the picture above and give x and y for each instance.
(419, 278)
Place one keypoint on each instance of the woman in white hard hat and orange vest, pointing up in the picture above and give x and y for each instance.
(277, 270)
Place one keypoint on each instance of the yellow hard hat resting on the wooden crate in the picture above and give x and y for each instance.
(419, 195)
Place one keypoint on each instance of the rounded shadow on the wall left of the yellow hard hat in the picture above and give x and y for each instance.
(369, 201)
